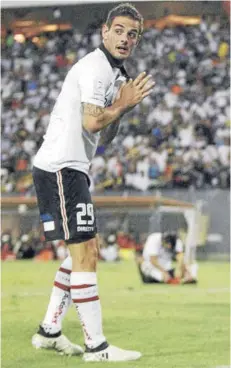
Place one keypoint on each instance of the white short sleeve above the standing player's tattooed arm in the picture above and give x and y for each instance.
(93, 86)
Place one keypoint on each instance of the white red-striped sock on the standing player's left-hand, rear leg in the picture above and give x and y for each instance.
(60, 299)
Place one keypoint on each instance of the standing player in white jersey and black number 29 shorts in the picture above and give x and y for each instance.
(96, 93)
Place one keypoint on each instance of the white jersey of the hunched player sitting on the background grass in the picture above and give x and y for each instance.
(153, 247)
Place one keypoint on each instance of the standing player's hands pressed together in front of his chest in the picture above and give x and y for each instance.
(133, 92)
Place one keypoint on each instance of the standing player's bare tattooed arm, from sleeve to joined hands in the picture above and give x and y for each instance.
(97, 118)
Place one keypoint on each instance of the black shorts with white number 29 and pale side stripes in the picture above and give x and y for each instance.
(65, 205)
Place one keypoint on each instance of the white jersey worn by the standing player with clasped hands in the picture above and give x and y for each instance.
(66, 143)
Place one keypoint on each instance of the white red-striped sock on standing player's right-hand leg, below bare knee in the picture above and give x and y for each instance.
(84, 293)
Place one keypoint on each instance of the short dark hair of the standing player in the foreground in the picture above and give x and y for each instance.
(125, 10)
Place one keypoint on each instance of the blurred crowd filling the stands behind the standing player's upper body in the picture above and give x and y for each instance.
(178, 137)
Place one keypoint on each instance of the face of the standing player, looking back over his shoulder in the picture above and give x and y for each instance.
(122, 37)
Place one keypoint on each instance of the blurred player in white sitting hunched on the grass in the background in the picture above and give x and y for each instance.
(155, 263)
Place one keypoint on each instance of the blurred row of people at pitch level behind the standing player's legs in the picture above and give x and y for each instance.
(113, 246)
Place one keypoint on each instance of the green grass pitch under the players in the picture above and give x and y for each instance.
(173, 326)
